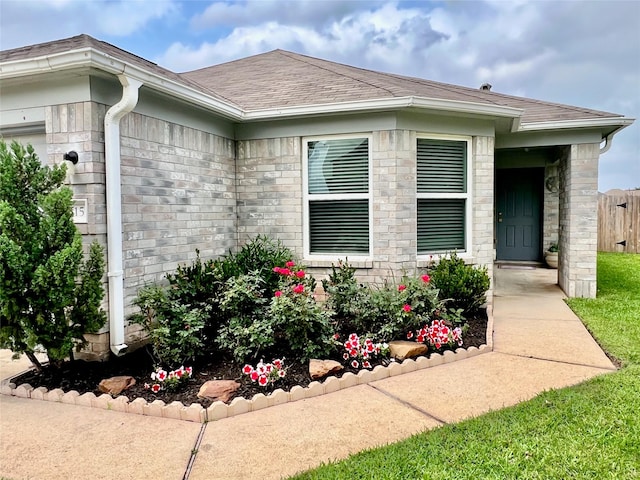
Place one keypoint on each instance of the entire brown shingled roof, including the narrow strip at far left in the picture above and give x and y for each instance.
(281, 79)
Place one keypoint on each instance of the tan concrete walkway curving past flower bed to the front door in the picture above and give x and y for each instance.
(538, 345)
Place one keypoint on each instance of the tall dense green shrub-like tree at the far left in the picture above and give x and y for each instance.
(49, 297)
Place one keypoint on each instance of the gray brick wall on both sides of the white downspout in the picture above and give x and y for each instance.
(178, 194)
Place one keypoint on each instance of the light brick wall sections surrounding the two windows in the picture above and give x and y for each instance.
(269, 178)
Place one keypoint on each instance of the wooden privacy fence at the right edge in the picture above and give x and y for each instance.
(619, 221)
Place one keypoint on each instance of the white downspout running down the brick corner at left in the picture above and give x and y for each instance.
(115, 272)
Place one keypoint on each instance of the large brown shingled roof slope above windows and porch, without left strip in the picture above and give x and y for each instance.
(280, 78)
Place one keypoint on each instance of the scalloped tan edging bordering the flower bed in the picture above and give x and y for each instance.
(219, 410)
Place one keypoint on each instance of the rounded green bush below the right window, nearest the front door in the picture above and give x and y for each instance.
(461, 286)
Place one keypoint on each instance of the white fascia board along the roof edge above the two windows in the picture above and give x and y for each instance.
(386, 104)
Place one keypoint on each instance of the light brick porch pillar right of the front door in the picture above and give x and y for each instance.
(578, 234)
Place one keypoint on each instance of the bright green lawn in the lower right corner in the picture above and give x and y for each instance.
(589, 431)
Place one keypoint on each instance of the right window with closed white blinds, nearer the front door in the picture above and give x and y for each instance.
(442, 195)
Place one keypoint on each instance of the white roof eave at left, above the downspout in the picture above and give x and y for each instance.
(89, 57)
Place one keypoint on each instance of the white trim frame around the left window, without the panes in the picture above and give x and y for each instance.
(307, 197)
